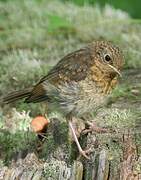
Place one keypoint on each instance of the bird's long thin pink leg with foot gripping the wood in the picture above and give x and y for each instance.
(81, 151)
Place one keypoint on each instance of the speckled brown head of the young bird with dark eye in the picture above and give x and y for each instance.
(108, 58)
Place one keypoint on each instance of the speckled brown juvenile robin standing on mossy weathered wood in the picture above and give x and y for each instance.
(78, 84)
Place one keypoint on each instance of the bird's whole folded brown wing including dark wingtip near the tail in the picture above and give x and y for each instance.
(73, 67)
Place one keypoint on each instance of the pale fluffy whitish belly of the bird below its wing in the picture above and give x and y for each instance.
(76, 98)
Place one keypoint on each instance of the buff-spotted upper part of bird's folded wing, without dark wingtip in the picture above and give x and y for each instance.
(72, 67)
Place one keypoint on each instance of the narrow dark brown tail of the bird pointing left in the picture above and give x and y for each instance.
(16, 95)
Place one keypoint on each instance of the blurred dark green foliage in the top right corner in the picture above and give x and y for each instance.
(132, 7)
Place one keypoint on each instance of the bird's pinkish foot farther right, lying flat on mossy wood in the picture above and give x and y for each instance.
(95, 128)
